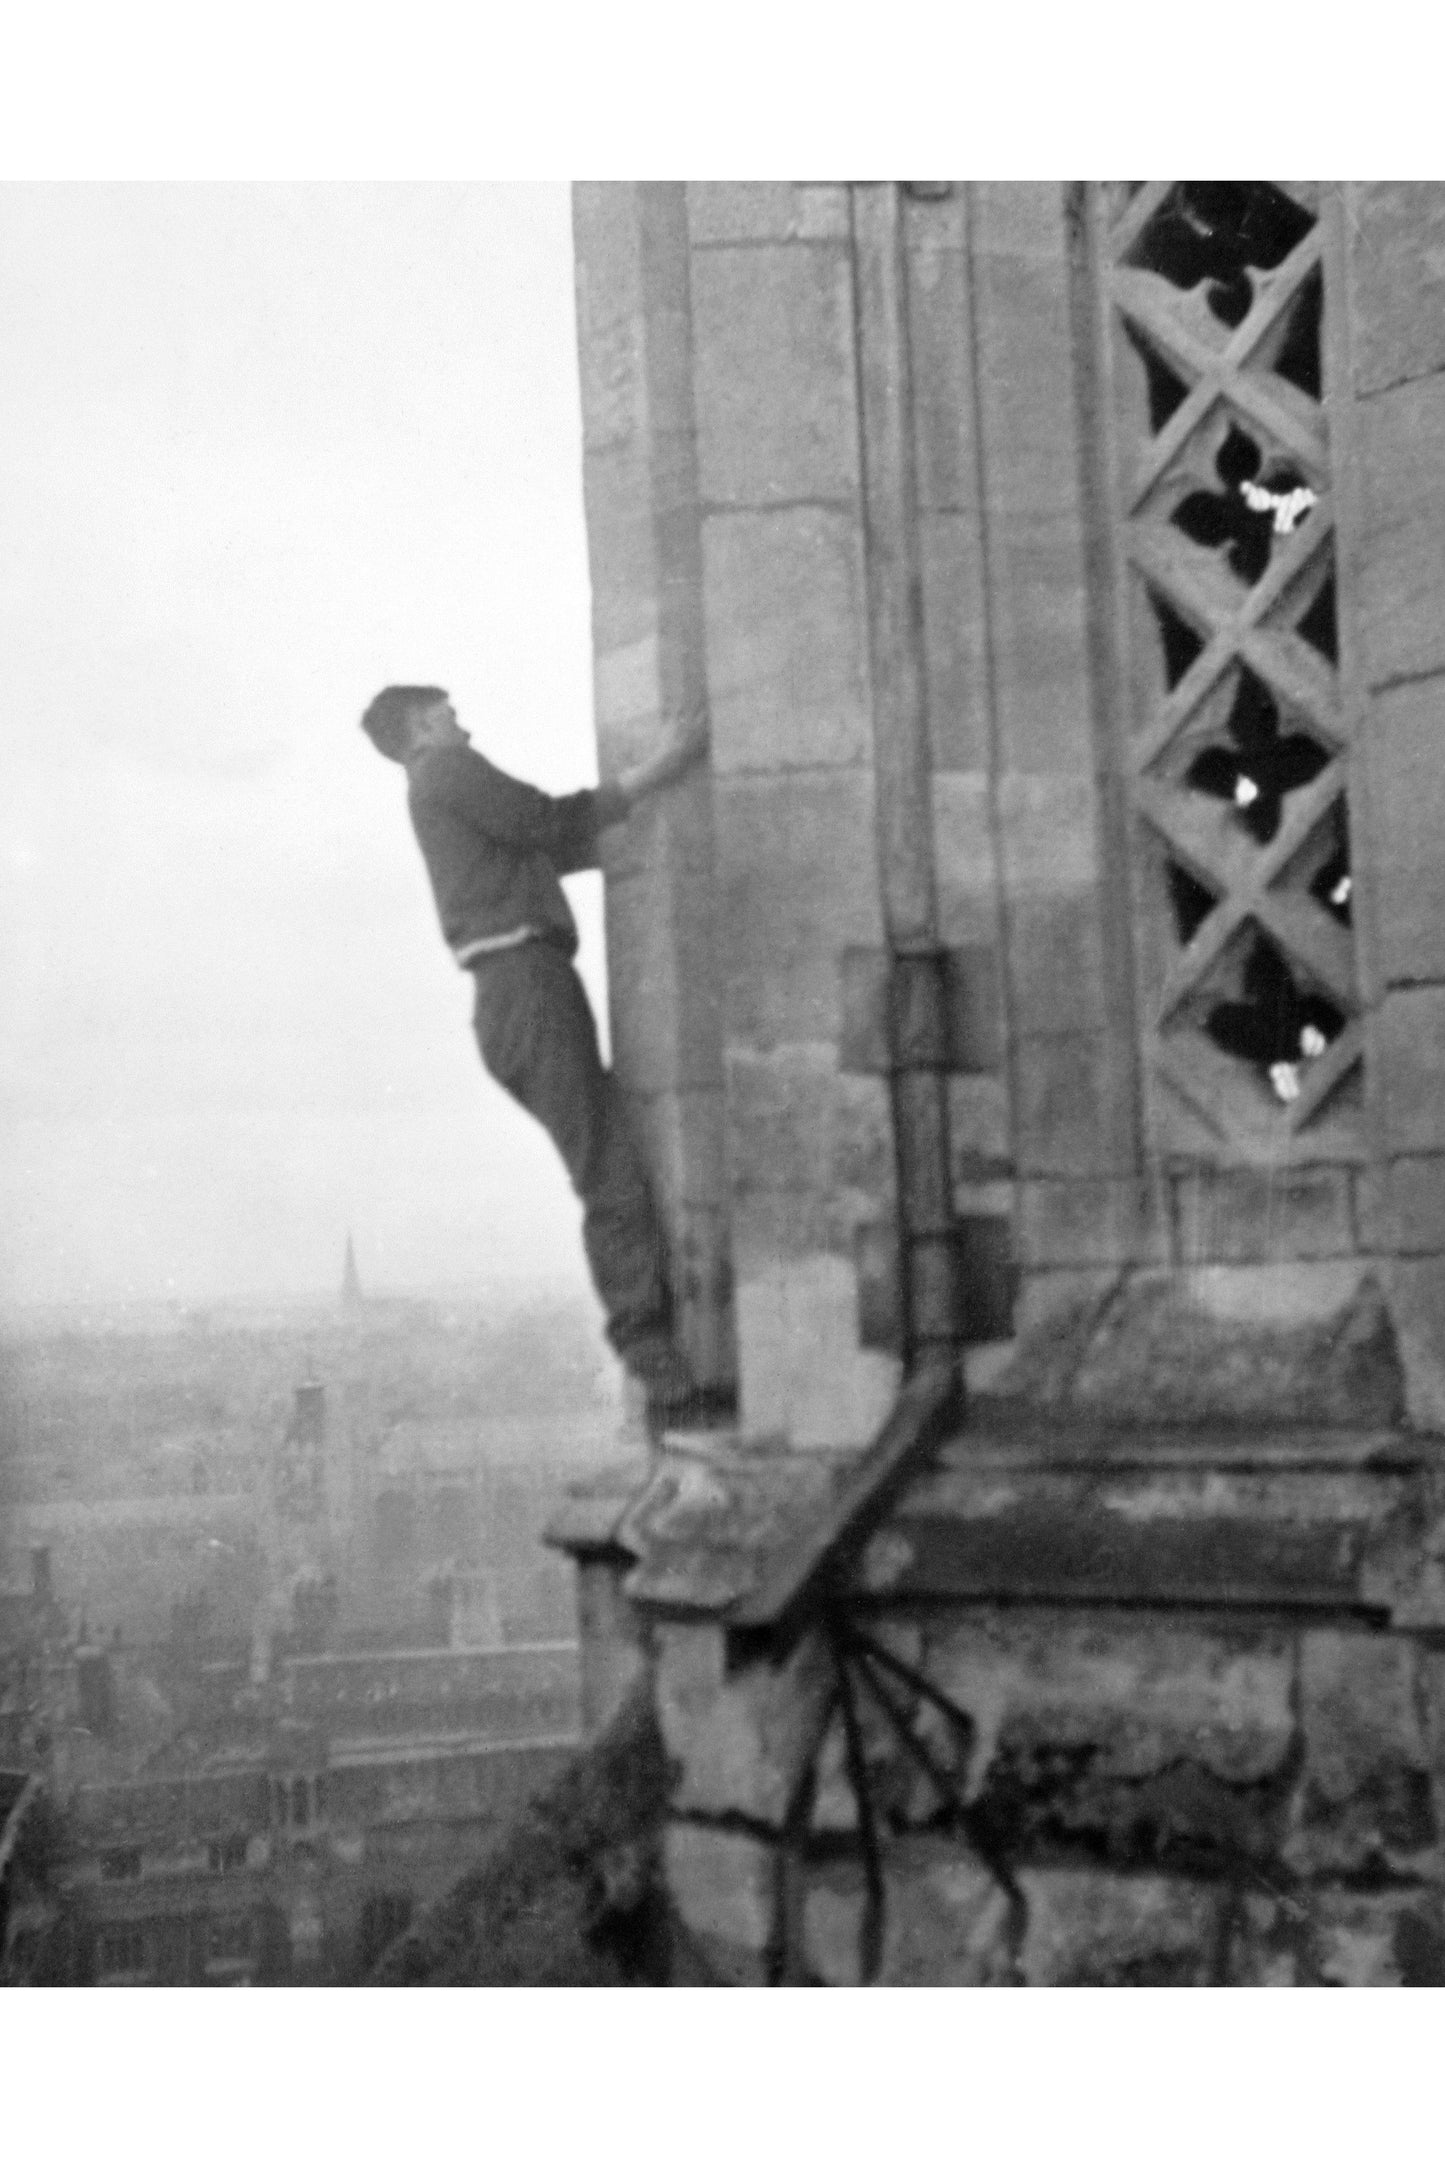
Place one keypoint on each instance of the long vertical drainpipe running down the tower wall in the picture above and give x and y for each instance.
(902, 760)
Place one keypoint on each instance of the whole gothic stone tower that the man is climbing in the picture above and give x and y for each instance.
(1052, 955)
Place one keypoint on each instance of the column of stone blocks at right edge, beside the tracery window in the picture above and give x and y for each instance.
(1398, 437)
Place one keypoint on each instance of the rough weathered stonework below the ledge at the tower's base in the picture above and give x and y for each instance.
(1147, 1803)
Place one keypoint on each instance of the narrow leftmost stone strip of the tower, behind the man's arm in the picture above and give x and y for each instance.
(649, 638)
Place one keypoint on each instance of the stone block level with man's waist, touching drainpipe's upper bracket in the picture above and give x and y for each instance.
(796, 870)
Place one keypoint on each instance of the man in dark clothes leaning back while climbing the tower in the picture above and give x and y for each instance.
(495, 853)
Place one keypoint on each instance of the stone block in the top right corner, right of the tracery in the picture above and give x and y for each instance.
(1398, 270)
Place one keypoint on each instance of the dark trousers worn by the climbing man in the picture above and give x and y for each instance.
(538, 1040)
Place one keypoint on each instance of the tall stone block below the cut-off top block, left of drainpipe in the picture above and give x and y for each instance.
(774, 376)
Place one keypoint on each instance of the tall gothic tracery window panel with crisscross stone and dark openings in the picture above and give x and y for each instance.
(1238, 736)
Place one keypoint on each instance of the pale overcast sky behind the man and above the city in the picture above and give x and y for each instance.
(265, 448)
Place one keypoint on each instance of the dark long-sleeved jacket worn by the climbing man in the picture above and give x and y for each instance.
(495, 849)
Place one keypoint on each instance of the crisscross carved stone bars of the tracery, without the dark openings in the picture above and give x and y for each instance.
(1229, 385)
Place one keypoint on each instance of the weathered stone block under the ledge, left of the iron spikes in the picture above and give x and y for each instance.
(742, 1740)
